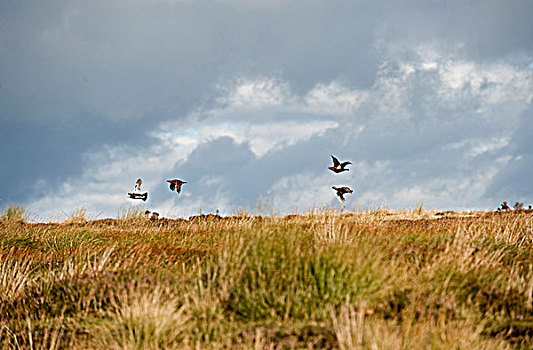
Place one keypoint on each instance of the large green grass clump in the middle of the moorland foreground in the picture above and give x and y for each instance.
(288, 276)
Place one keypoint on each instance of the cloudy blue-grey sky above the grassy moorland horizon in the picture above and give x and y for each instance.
(431, 101)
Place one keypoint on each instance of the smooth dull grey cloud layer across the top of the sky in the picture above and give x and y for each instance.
(121, 58)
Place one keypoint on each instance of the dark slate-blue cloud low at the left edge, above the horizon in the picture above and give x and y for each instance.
(54, 151)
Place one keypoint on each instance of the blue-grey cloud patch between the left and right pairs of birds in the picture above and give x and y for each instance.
(245, 177)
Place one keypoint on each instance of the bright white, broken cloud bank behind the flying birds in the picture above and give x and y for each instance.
(433, 130)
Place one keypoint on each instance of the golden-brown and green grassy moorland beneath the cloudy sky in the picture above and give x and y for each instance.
(373, 280)
